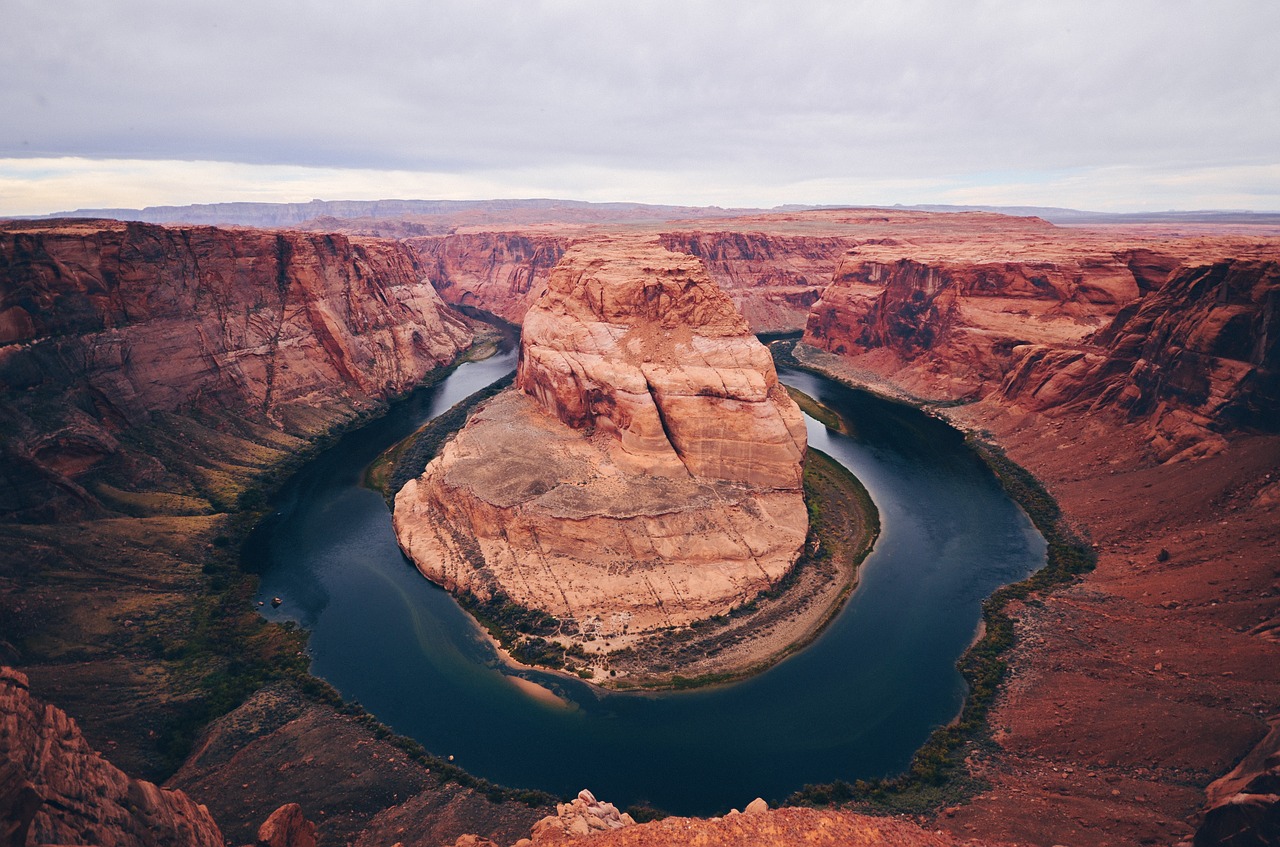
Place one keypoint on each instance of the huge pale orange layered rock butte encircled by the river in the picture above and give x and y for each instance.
(646, 473)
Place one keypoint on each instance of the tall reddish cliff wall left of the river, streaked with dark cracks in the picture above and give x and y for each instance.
(104, 326)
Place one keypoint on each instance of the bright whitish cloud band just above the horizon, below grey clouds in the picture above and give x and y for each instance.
(42, 186)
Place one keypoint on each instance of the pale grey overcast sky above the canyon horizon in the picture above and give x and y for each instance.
(1136, 106)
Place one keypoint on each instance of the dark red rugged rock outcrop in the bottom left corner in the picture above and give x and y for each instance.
(57, 790)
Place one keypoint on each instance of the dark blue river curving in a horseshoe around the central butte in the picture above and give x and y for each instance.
(856, 704)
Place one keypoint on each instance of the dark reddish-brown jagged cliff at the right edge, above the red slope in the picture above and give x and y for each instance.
(1199, 356)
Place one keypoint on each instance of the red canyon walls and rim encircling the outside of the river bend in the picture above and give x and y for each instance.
(153, 374)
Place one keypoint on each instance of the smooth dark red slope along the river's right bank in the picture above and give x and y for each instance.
(1131, 689)
